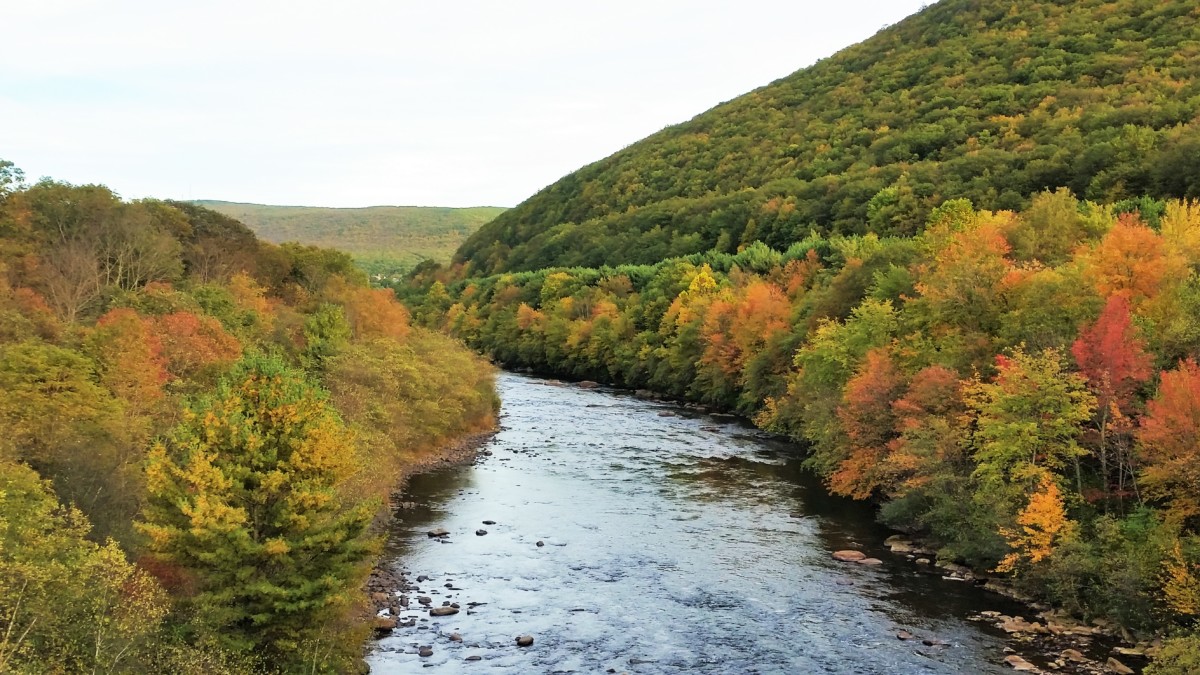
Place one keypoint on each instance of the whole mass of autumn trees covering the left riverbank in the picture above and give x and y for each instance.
(197, 433)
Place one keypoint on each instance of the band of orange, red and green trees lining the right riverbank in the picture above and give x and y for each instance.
(1017, 389)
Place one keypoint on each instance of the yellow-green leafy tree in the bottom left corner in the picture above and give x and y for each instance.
(68, 605)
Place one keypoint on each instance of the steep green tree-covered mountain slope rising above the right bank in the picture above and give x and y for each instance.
(989, 100)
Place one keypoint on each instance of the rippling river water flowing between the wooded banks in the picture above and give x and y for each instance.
(674, 542)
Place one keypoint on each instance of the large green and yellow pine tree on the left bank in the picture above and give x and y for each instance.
(244, 497)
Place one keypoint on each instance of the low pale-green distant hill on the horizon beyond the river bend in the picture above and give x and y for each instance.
(383, 240)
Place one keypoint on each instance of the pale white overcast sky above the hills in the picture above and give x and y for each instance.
(359, 103)
